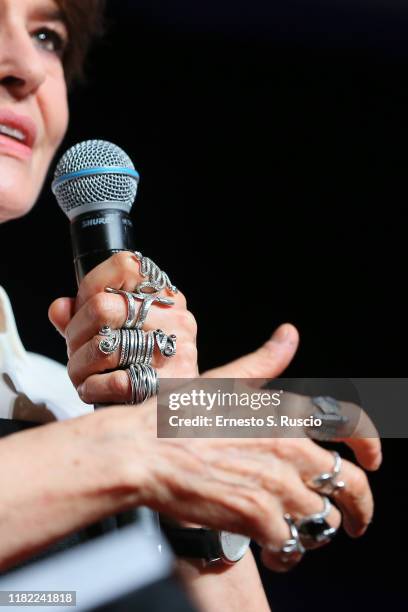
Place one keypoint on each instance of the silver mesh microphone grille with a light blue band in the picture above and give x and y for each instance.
(93, 175)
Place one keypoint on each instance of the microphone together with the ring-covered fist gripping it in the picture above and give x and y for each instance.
(122, 294)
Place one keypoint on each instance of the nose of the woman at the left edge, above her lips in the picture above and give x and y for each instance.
(22, 70)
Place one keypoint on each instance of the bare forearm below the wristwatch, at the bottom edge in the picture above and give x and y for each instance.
(230, 588)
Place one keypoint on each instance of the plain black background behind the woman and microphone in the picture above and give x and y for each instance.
(271, 142)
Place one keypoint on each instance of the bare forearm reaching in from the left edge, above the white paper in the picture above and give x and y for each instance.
(56, 479)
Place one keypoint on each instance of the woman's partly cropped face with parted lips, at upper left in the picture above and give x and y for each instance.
(33, 99)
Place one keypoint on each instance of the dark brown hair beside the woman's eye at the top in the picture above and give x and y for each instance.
(84, 20)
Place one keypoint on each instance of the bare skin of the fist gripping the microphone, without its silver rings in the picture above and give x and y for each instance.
(92, 371)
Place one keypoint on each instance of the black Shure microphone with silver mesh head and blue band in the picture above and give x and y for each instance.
(95, 184)
